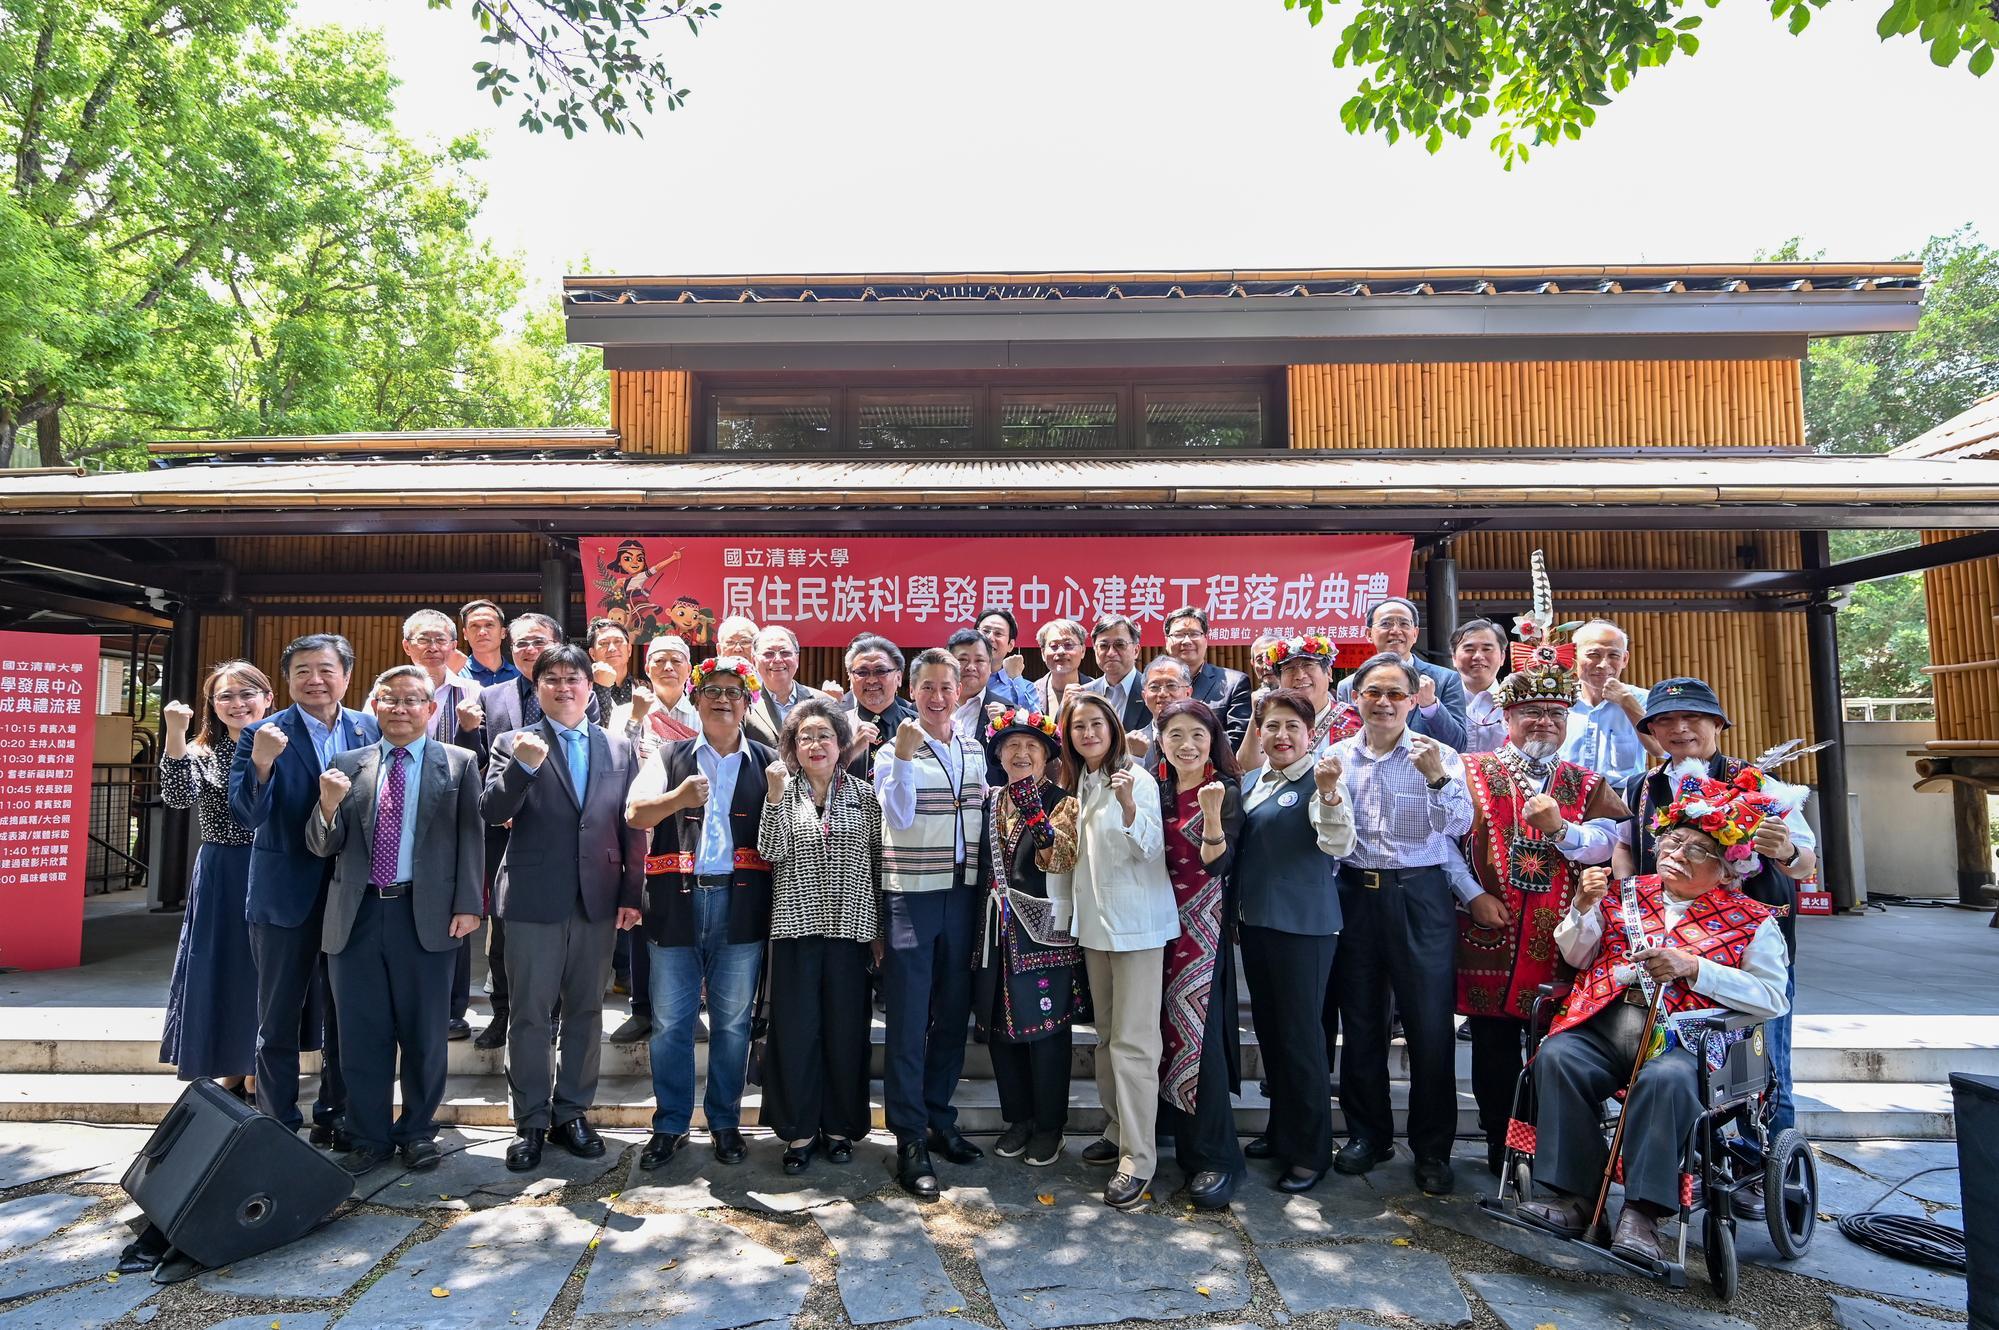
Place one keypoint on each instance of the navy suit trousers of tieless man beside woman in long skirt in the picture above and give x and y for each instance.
(291, 983)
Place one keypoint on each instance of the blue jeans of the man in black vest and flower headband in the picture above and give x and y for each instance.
(679, 977)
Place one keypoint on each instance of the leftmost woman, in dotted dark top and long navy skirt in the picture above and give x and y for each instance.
(211, 1007)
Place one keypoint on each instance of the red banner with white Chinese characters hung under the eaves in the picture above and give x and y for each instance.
(917, 589)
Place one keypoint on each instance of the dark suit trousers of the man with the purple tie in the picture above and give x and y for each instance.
(395, 997)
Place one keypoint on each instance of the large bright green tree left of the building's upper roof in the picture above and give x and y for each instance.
(213, 231)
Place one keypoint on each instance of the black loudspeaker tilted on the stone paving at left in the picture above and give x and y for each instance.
(223, 1181)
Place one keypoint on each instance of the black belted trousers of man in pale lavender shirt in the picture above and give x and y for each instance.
(1400, 943)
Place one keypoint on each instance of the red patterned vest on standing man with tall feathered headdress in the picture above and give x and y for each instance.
(1498, 969)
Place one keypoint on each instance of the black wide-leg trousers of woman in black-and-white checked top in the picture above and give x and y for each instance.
(817, 1055)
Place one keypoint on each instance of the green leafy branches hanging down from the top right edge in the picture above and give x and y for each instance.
(1540, 69)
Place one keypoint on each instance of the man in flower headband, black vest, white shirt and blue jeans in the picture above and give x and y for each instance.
(707, 909)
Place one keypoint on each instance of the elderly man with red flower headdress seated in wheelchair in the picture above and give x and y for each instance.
(1678, 941)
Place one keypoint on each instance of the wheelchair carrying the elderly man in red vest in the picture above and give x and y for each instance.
(1728, 1151)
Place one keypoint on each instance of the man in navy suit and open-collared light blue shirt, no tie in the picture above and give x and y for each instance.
(275, 787)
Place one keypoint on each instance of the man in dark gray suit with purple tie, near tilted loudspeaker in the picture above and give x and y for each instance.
(401, 819)
